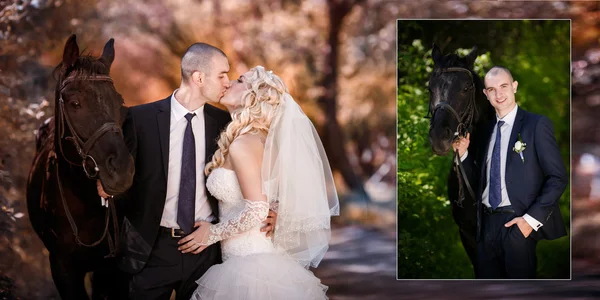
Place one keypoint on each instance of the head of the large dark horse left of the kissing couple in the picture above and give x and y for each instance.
(88, 117)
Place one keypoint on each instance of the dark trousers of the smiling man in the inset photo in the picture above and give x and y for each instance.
(504, 252)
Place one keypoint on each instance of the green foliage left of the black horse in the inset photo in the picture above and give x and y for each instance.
(428, 240)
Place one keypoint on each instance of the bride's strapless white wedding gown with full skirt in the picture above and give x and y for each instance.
(252, 267)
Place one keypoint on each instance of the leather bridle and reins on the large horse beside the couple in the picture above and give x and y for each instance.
(83, 150)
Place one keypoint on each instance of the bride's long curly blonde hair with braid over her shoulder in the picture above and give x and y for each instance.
(260, 103)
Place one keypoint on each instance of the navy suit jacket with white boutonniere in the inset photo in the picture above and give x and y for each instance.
(535, 185)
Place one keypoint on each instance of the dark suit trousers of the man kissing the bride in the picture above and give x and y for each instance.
(168, 269)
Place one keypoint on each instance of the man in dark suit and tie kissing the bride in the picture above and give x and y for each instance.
(171, 140)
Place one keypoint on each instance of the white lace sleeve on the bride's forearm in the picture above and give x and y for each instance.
(253, 214)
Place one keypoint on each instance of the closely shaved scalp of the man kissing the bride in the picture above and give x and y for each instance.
(198, 57)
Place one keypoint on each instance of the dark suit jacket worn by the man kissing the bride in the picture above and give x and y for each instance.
(146, 130)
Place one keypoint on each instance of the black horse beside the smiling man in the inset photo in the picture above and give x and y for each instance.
(458, 106)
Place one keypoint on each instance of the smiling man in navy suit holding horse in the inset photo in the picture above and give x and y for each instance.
(522, 177)
